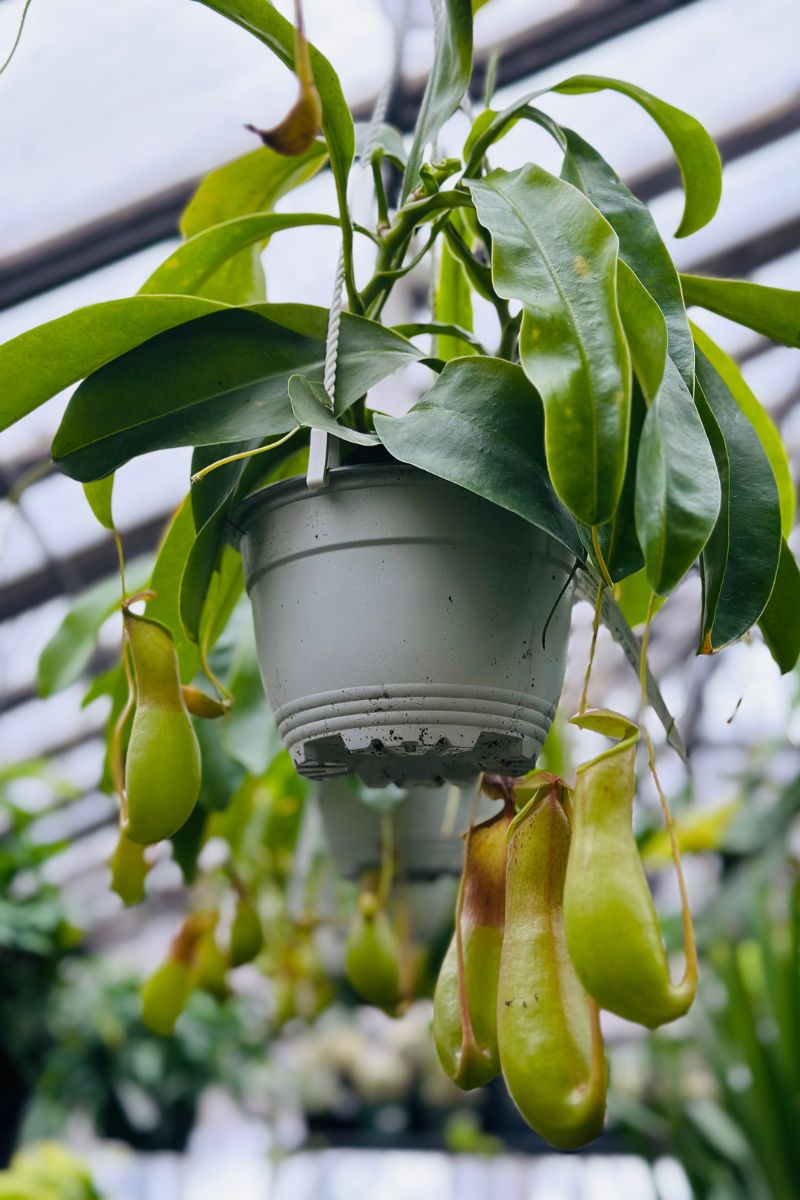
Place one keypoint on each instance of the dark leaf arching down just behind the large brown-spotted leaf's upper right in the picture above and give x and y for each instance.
(640, 243)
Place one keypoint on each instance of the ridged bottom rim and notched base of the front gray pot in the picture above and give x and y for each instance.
(425, 734)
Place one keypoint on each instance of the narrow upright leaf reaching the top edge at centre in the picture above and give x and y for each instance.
(448, 82)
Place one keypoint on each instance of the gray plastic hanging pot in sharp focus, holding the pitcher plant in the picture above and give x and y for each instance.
(399, 621)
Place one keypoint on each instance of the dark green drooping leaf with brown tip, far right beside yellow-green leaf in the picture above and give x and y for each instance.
(741, 559)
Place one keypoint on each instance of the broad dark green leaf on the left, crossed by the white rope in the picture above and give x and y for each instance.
(222, 379)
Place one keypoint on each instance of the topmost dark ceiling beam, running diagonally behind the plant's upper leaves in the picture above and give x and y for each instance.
(152, 220)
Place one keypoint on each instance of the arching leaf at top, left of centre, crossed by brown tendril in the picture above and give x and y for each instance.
(266, 23)
